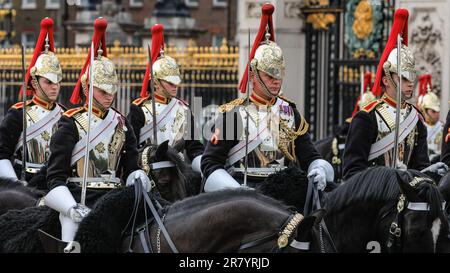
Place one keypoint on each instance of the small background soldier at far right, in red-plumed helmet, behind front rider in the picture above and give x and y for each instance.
(430, 105)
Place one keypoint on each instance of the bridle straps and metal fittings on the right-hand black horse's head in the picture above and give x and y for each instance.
(395, 229)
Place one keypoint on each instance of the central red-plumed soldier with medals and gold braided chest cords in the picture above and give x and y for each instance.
(277, 134)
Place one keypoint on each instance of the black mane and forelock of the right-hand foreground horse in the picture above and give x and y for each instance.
(379, 185)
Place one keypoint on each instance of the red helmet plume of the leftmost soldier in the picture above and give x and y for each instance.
(46, 29)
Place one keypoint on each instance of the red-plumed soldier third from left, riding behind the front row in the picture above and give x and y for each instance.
(172, 116)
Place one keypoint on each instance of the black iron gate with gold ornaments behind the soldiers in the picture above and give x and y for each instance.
(344, 39)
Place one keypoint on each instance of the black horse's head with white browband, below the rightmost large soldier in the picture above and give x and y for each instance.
(419, 220)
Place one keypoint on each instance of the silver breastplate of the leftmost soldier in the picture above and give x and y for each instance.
(38, 148)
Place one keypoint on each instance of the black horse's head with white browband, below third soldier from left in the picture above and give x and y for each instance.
(165, 166)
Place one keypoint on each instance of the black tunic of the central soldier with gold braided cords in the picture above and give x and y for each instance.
(215, 156)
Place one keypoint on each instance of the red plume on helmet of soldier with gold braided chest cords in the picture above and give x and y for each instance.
(266, 21)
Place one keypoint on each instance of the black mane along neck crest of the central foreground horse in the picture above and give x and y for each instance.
(226, 195)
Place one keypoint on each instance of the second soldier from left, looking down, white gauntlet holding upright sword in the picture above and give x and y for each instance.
(112, 154)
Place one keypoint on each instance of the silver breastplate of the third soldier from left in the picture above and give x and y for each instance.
(173, 125)
